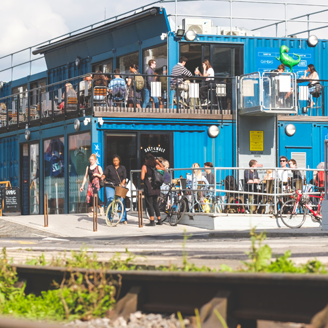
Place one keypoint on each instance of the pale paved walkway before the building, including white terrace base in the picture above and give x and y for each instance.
(81, 226)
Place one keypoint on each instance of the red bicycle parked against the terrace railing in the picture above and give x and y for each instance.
(293, 212)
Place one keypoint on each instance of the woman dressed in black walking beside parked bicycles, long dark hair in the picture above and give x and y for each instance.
(151, 192)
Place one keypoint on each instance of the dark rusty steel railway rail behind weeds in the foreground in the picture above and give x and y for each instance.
(244, 298)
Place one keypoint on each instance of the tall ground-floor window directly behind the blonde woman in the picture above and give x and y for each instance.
(79, 153)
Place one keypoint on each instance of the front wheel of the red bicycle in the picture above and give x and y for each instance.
(292, 214)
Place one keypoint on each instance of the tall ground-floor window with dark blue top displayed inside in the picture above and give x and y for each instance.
(54, 168)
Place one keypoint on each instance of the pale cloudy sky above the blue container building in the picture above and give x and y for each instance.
(27, 23)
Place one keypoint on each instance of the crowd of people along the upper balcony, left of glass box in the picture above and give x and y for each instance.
(135, 89)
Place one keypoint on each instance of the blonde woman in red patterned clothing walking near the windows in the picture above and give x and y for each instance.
(94, 172)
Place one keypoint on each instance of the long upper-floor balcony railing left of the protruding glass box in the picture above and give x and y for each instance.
(73, 97)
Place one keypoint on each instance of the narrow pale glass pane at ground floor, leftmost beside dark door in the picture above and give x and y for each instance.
(34, 179)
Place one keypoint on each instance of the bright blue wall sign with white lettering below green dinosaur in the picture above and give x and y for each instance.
(266, 59)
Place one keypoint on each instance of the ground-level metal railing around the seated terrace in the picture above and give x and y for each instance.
(234, 190)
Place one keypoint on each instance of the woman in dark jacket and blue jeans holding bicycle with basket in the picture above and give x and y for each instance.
(115, 175)
